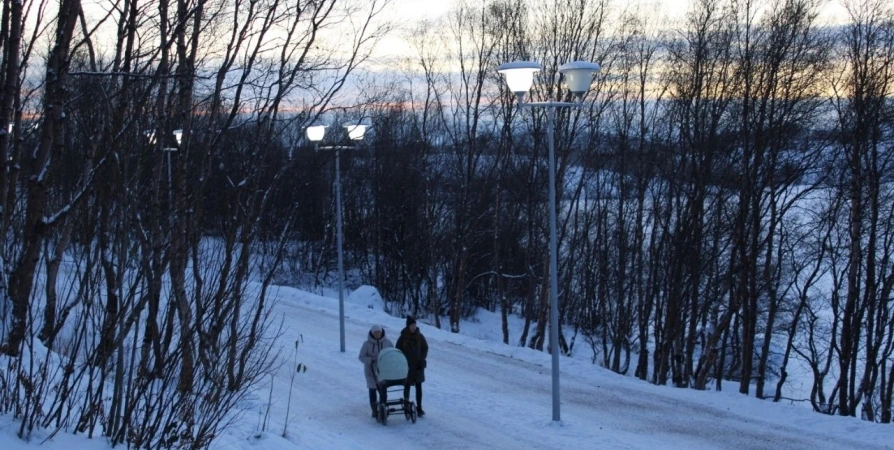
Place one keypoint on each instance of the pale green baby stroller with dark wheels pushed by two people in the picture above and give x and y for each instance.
(391, 370)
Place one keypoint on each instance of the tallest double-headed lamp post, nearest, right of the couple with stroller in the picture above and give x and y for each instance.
(578, 76)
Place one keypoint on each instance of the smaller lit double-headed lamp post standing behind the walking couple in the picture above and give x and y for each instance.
(315, 134)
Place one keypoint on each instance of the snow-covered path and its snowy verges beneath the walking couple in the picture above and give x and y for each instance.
(481, 393)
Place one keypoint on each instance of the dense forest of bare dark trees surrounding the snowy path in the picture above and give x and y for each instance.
(725, 194)
